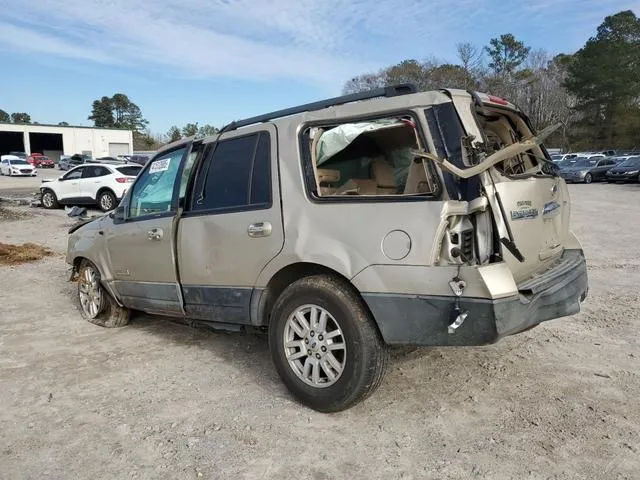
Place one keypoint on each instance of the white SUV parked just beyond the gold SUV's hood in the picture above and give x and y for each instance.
(100, 184)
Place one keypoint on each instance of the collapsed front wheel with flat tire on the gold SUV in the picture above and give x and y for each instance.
(96, 305)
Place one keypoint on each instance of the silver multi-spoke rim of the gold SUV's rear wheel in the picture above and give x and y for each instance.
(314, 346)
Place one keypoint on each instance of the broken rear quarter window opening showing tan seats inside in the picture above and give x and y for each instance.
(368, 158)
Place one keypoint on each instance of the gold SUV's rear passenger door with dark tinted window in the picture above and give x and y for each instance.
(232, 225)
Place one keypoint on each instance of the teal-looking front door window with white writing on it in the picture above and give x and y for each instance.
(153, 191)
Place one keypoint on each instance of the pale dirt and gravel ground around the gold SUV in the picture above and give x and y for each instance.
(158, 399)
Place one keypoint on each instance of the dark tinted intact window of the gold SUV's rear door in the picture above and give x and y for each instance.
(236, 175)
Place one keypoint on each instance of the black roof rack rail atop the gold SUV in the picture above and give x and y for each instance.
(388, 91)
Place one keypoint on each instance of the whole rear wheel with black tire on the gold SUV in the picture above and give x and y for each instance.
(325, 344)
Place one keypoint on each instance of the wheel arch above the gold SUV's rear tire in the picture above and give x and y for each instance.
(263, 300)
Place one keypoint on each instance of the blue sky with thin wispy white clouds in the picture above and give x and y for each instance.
(213, 61)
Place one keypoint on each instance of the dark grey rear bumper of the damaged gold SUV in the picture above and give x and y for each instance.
(423, 320)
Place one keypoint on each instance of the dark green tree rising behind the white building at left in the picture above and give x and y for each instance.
(117, 112)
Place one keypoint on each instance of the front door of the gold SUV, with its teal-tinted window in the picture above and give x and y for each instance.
(141, 247)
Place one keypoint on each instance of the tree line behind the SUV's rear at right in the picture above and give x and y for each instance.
(594, 92)
